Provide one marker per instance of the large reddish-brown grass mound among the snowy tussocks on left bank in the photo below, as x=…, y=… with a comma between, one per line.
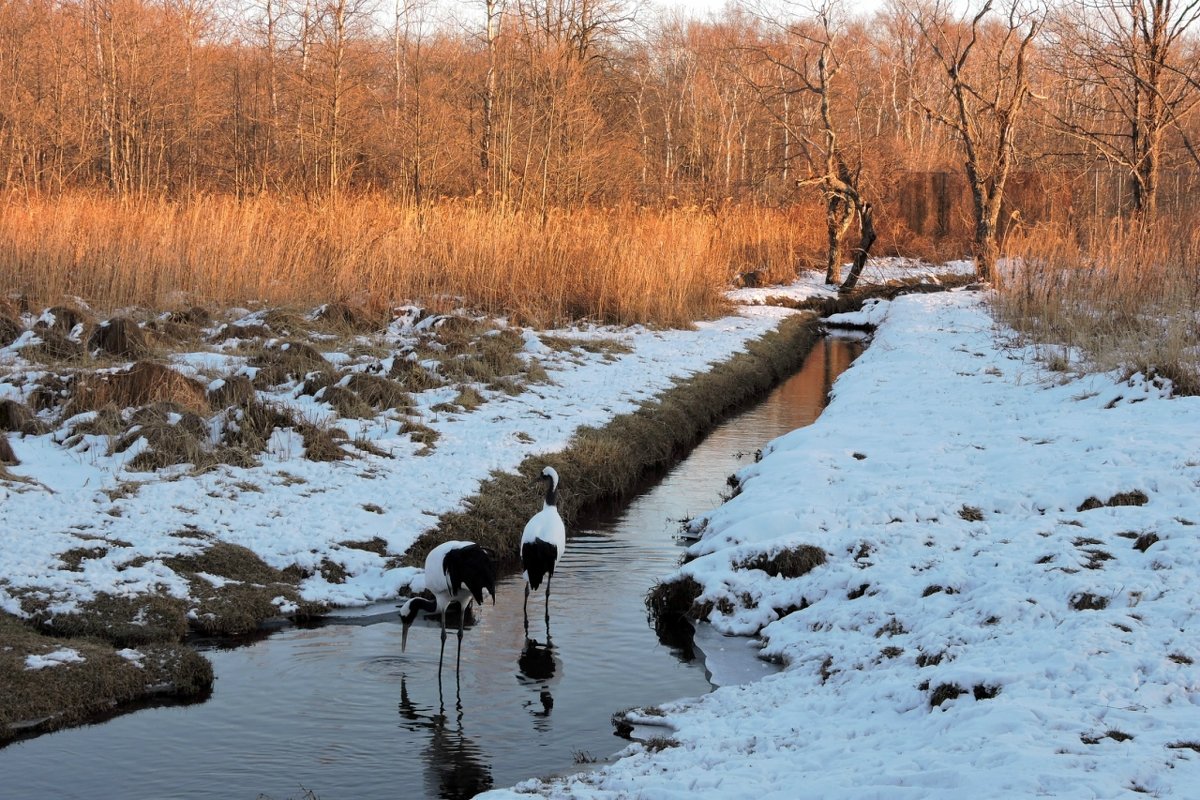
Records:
x=143, y=384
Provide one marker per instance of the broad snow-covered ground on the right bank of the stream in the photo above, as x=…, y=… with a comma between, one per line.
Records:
x=979, y=630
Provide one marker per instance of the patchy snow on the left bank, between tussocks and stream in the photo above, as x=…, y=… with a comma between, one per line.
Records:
x=296, y=512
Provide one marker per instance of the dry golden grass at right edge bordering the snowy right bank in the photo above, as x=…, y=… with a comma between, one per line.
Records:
x=1124, y=297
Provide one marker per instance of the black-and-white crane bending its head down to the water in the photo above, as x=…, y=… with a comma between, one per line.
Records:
x=457, y=573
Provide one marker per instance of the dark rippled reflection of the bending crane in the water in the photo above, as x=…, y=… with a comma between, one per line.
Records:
x=455, y=766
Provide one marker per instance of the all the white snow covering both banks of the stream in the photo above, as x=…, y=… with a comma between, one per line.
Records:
x=950, y=485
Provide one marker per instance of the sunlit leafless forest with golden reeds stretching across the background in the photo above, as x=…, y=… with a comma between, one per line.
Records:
x=281, y=149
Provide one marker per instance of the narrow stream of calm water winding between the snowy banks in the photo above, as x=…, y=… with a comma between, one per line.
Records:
x=339, y=712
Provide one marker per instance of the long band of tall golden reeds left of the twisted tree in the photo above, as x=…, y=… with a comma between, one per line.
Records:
x=622, y=266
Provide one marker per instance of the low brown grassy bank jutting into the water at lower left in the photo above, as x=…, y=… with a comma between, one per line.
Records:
x=37, y=701
